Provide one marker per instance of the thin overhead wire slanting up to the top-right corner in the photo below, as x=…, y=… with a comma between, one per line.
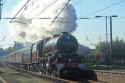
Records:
x=104, y=8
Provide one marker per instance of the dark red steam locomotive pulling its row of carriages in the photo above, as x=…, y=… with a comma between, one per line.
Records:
x=56, y=56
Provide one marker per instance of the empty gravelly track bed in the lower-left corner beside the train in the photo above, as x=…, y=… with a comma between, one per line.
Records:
x=8, y=75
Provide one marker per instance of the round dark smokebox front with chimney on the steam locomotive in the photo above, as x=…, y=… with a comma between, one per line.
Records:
x=67, y=44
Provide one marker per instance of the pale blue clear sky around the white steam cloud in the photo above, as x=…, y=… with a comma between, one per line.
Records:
x=90, y=31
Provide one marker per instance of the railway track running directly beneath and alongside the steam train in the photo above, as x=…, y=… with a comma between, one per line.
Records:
x=51, y=79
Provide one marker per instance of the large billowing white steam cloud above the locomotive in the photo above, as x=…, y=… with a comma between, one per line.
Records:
x=29, y=28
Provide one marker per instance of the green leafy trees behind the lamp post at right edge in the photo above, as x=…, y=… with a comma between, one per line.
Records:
x=118, y=50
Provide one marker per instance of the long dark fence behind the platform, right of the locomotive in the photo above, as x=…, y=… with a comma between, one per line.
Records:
x=104, y=62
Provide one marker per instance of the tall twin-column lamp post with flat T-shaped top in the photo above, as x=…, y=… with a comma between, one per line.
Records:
x=110, y=17
